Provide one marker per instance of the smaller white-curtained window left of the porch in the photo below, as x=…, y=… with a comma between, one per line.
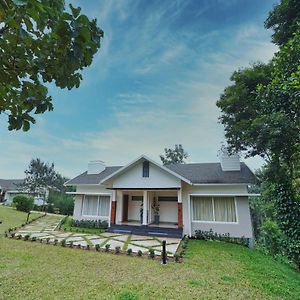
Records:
x=96, y=206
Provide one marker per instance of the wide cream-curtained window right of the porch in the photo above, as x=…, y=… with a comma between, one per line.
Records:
x=214, y=209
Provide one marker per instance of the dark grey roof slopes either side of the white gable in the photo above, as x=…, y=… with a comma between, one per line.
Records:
x=196, y=173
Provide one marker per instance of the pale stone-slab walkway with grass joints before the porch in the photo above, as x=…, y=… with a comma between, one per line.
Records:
x=46, y=227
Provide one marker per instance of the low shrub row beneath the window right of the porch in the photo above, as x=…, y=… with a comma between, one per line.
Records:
x=213, y=236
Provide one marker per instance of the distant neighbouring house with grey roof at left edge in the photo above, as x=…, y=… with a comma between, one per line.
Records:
x=9, y=188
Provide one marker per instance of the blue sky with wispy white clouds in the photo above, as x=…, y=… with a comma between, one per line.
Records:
x=153, y=84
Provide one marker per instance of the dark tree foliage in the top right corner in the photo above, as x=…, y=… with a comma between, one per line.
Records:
x=283, y=19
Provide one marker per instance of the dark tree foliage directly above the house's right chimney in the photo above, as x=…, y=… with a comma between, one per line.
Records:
x=241, y=111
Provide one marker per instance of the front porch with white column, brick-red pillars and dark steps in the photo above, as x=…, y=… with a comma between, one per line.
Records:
x=147, y=212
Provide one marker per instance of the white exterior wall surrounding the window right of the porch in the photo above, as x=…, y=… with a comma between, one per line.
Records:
x=242, y=228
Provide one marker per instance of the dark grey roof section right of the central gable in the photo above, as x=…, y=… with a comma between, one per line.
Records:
x=213, y=173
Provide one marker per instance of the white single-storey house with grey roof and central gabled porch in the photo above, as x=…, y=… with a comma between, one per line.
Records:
x=145, y=197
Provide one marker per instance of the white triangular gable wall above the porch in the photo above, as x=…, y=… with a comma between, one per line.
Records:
x=158, y=178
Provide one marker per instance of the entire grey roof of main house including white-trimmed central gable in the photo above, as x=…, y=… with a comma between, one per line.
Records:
x=195, y=173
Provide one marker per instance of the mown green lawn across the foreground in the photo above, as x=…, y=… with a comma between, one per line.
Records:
x=212, y=270
